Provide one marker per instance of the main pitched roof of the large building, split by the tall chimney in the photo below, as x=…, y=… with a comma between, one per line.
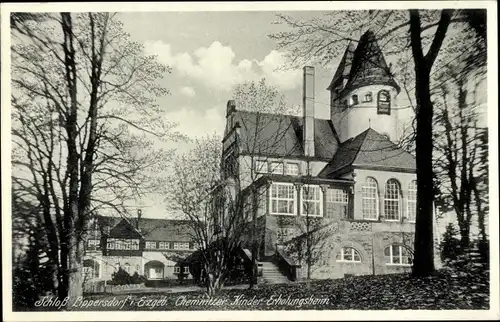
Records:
x=281, y=135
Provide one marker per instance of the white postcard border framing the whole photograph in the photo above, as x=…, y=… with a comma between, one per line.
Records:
x=493, y=313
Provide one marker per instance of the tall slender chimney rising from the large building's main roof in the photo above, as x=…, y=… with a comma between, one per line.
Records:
x=308, y=111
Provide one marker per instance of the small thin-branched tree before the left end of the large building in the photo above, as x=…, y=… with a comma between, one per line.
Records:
x=211, y=207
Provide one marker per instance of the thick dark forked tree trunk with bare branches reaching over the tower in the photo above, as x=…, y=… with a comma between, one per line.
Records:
x=398, y=31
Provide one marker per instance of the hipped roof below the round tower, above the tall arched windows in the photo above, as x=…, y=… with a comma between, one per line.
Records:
x=369, y=148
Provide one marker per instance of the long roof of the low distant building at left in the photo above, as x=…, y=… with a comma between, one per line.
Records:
x=153, y=229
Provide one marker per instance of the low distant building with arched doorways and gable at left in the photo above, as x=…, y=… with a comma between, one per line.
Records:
x=153, y=248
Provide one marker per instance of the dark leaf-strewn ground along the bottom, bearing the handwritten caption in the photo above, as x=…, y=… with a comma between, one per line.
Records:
x=446, y=290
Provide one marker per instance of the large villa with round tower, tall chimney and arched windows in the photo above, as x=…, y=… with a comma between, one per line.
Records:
x=337, y=197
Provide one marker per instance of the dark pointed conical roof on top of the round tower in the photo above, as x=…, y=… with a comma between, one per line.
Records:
x=368, y=65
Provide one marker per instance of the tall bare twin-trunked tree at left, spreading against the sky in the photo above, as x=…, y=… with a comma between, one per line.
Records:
x=84, y=115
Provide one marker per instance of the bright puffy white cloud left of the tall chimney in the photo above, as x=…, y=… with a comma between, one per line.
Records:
x=216, y=68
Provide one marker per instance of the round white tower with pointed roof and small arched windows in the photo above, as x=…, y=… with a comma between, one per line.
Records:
x=363, y=91
